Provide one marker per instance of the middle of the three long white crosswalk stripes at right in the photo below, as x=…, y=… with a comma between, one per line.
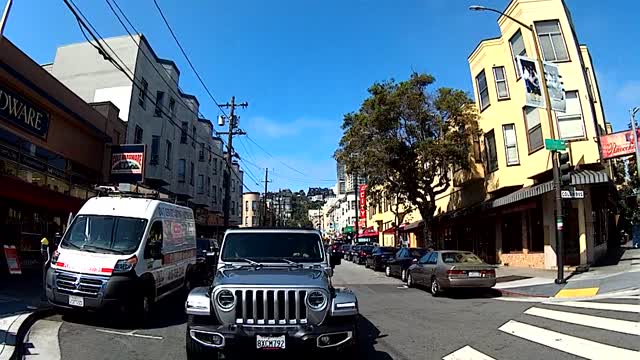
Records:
x=622, y=326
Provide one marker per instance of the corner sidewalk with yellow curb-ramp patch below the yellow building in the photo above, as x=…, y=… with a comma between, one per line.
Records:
x=599, y=280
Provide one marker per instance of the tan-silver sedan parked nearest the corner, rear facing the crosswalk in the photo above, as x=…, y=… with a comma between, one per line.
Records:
x=448, y=269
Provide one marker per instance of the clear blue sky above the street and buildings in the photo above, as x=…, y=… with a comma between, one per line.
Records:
x=302, y=64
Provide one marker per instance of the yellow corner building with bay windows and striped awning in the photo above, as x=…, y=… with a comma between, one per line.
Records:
x=504, y=209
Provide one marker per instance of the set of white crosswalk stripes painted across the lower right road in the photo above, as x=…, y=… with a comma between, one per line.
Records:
x=567, y=343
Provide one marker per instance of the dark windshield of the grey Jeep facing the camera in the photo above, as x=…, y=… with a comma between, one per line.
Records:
x=272, y=247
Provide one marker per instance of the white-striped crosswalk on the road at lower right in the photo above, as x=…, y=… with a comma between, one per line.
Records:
x=571, y=340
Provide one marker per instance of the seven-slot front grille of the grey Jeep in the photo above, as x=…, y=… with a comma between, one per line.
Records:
x=271, y=307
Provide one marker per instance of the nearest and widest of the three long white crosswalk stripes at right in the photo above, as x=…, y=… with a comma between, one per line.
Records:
x=570, y=344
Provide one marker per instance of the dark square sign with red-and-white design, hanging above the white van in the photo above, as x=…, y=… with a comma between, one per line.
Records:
x=127, y=163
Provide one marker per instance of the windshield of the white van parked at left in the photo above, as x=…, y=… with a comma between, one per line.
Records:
x=104, y=234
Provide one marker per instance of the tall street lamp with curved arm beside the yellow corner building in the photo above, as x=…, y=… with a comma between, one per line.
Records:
x=556, y=172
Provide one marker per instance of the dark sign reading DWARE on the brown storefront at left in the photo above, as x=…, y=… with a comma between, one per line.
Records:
x=22, y=113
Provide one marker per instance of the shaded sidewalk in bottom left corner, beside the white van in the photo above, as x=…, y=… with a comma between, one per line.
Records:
x=21, y=298
